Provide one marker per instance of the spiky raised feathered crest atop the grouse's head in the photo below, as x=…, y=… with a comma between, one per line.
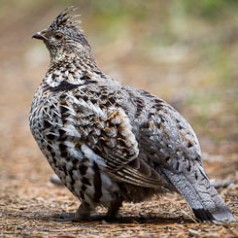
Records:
x=65, y=19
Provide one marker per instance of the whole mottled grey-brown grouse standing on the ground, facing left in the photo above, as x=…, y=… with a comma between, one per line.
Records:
x=111, y=143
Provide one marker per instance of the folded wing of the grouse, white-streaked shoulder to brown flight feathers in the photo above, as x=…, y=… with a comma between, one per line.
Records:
x=109, y=134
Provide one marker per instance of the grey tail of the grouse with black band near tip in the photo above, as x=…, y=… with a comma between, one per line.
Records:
x=202, y=197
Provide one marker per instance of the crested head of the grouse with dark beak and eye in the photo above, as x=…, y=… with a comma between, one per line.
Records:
x=64, y=38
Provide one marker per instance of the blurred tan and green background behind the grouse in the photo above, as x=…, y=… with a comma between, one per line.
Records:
x=184, y=51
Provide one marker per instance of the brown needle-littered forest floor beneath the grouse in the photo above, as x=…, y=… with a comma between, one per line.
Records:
x=31, y=206
